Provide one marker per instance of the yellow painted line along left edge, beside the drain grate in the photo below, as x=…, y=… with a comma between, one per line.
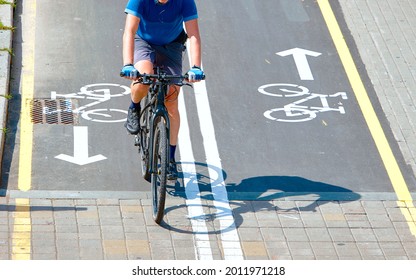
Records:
x=21, y=240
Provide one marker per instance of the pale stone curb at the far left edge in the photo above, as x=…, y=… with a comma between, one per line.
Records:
x=6, y=15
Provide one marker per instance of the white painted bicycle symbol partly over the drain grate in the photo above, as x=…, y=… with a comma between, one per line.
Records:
x=99, y=93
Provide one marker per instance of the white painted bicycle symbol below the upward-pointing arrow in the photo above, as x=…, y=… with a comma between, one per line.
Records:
x=294, y=111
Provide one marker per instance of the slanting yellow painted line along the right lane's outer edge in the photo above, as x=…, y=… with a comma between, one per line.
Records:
x=373, y=123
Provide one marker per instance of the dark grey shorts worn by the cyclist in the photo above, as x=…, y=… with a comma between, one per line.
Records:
x=169, y=57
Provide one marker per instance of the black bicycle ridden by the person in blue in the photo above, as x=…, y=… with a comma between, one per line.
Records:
x=153, y=137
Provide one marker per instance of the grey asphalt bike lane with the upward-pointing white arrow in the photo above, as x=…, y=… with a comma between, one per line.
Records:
x=288, y=122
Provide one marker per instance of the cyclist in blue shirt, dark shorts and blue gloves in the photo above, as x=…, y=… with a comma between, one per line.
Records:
x=154, y=36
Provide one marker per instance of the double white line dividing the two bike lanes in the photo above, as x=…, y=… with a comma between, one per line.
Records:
x=229, y=237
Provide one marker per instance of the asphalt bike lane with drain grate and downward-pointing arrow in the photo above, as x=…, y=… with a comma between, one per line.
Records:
x=79, y=102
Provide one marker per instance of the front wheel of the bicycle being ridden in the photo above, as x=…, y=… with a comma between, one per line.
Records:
x=160, y=168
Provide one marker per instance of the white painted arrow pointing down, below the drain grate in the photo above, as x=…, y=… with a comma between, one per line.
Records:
x=80, y=156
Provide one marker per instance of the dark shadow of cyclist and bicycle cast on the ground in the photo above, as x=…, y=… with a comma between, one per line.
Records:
x=240, y=195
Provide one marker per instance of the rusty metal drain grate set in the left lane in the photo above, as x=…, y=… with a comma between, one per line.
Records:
x=52, y=111
